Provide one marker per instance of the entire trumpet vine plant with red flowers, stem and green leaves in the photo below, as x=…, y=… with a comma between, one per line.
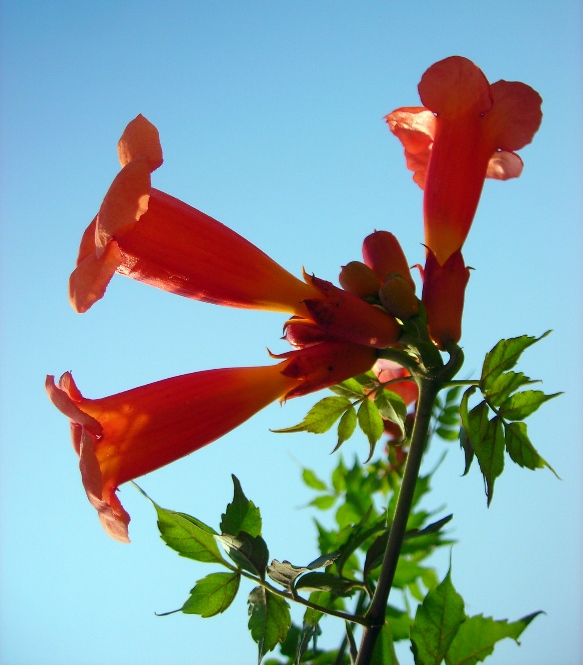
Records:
x=389, y=356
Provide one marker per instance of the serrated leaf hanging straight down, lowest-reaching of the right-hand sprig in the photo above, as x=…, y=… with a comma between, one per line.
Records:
x=488, y=442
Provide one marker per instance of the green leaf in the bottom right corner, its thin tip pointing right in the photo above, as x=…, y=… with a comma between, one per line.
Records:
x=477, y=636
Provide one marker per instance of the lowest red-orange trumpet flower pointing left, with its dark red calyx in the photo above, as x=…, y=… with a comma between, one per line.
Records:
x=124, y=436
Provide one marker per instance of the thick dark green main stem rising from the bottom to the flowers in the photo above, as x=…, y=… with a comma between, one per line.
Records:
x=428, y=389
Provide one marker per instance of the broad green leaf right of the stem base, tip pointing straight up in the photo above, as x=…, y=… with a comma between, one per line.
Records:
x=437, y=621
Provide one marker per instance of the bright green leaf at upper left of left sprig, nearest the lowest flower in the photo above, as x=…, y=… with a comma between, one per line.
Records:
x=188, y=536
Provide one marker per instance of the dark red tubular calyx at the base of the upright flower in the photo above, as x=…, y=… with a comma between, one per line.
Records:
x=444, y=289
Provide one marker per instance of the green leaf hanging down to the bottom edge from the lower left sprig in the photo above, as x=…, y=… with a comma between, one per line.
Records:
x=269, y=619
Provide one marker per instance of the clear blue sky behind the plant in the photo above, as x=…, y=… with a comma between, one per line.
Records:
x=270, y=115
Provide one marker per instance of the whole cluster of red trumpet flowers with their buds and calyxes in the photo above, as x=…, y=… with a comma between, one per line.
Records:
x=465, y=132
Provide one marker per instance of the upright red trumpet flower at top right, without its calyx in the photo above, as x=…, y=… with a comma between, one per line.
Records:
x=467, y=130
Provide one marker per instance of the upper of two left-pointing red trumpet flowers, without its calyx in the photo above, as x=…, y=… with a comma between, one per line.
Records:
x=157, y=239
